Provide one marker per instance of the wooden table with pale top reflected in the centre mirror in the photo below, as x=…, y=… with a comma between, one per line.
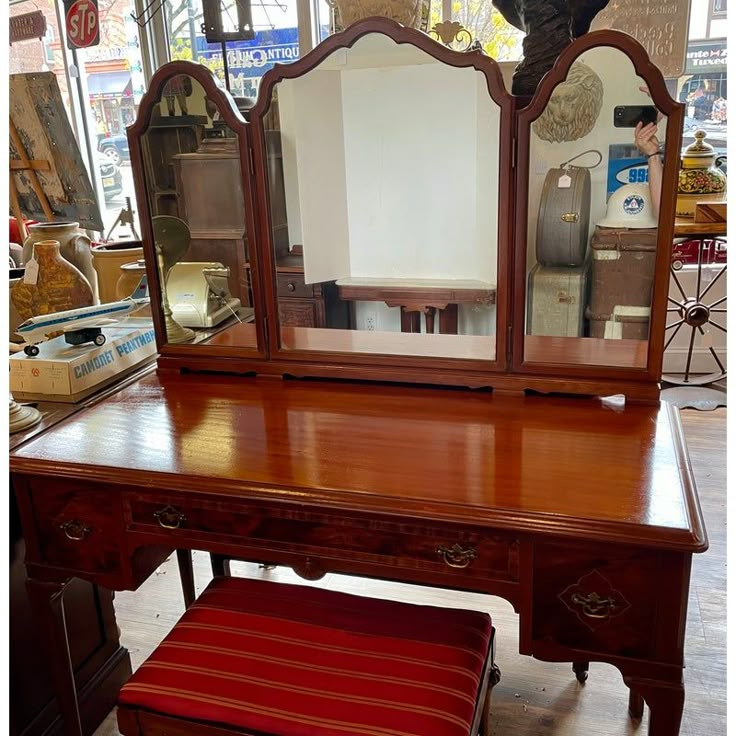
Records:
x=420, y=296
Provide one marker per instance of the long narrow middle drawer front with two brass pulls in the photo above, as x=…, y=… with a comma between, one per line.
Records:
x=436, y=550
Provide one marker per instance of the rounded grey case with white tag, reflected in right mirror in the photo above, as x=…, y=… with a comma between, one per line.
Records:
x=564, y=217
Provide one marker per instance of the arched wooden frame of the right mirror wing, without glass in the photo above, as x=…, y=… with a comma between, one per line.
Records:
x=596, y=376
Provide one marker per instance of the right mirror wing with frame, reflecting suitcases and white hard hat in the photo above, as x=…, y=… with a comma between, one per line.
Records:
x=595, y=211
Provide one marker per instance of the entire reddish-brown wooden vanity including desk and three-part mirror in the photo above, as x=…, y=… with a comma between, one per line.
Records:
x=582, y=513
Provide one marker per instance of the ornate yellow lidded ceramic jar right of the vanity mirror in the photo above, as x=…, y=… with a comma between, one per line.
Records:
x=700, y=180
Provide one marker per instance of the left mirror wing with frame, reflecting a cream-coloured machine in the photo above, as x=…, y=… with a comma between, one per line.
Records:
x=192, y=152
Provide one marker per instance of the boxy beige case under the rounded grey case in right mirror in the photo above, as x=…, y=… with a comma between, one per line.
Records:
x=556, y=299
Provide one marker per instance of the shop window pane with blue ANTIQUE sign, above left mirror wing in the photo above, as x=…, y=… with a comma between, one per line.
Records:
x=276, y=41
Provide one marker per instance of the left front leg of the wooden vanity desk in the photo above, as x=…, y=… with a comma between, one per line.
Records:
x=48, y=610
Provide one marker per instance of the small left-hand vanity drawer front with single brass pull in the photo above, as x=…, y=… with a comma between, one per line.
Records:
x=79, y=526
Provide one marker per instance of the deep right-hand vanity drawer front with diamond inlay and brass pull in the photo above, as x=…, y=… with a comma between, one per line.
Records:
x=596, y=600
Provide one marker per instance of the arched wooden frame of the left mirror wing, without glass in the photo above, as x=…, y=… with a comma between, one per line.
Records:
x=136, y=132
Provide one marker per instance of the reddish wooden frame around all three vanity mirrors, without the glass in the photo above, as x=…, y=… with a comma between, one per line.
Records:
x=509, y=373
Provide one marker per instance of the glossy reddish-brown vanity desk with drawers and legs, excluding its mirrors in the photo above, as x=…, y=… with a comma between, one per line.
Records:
x=585, y=518
